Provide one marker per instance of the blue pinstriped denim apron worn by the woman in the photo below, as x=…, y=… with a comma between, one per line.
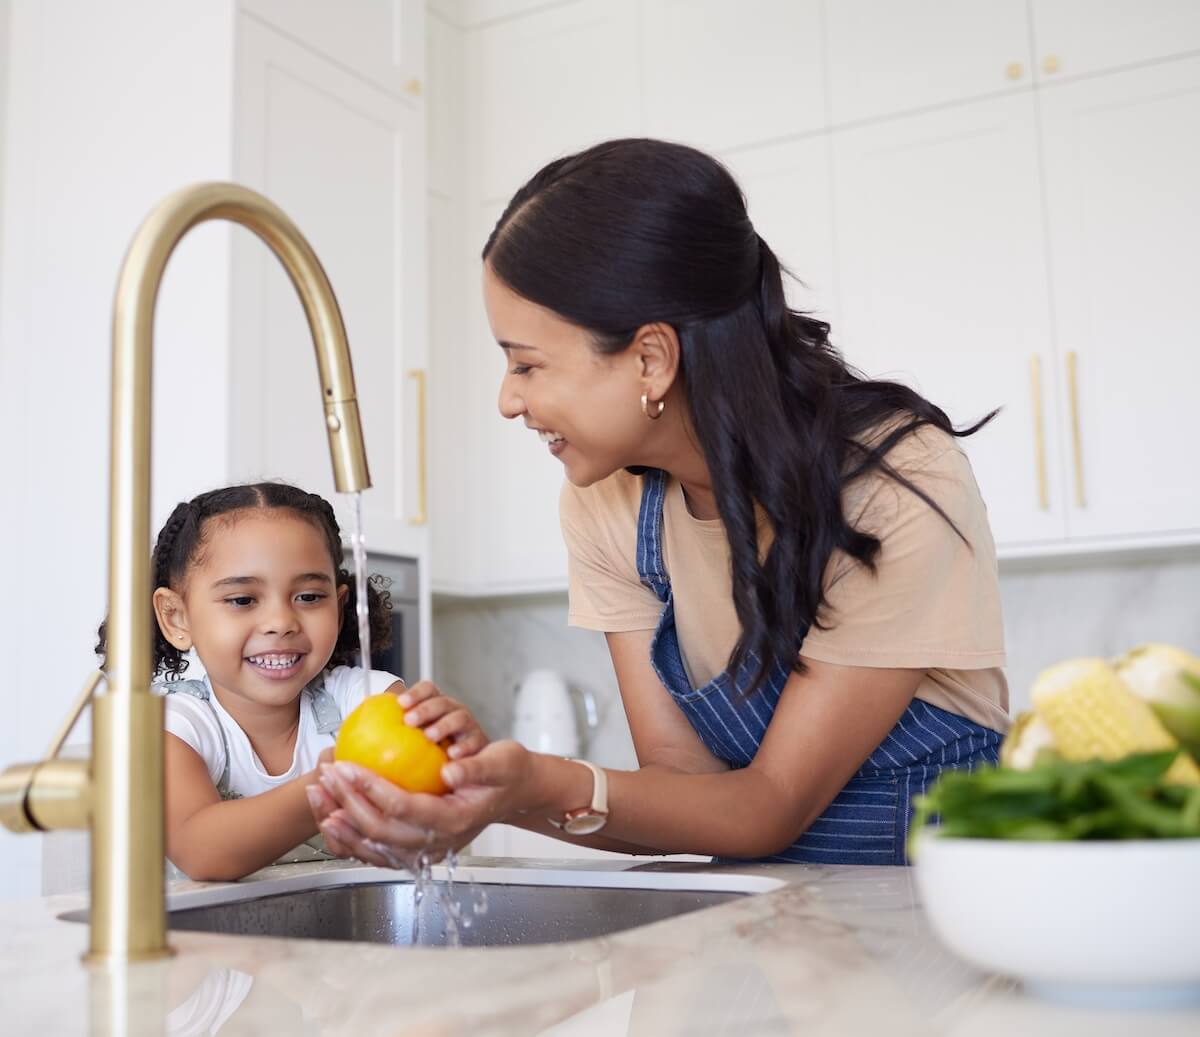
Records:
x=868, y=822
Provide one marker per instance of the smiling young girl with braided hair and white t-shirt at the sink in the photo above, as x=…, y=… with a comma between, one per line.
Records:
x=250, y=579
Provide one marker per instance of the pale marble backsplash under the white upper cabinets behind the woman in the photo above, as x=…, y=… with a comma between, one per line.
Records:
x=1053, y=612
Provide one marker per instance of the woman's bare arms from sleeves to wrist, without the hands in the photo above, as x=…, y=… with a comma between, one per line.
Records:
x=682, y=800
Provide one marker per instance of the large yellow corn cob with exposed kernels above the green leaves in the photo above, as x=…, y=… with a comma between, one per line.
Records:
x=1094, y=715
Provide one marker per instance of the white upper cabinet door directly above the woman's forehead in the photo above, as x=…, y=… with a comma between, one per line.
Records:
x=548, y=85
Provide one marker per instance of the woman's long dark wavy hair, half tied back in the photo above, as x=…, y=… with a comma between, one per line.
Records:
x=634, y=232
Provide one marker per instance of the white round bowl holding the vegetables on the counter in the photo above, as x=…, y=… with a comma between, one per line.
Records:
x=1102, y=924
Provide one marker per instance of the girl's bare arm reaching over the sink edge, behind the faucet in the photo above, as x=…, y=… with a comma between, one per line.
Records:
x=214, y=841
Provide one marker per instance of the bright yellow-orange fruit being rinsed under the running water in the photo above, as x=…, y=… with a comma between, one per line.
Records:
x=376, y=736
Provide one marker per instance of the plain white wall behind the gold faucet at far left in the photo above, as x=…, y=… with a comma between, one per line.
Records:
x=71, y=202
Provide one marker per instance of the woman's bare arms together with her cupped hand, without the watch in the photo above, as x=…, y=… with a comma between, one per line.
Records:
x=826, y=724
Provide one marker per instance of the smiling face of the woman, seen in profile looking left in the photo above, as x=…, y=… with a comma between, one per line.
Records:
x=585, y=405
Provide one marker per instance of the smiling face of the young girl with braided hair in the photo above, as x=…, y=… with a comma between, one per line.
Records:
x=261, y=606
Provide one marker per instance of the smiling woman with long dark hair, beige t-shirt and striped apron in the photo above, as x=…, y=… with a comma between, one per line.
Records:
x=793, y=564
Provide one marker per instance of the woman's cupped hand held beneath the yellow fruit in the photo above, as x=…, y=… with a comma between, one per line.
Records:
x=365, y=817
